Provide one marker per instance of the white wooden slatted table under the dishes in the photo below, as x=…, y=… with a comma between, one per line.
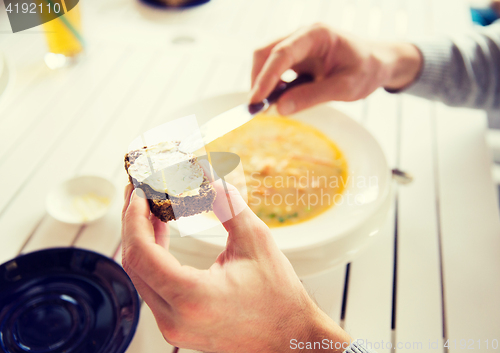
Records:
x=434, y=274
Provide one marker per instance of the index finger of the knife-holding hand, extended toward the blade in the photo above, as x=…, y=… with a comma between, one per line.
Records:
x=305, y=43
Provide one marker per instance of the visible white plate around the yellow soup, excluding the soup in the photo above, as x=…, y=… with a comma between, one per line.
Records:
x=334, y=236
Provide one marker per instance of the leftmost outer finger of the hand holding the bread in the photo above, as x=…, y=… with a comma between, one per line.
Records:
x=150, y=261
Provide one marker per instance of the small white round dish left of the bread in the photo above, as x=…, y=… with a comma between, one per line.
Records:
x=81, y=200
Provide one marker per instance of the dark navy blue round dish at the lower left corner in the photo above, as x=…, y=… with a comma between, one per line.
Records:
x=66, y=300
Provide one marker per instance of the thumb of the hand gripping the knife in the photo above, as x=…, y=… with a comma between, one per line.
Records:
x=337, y=87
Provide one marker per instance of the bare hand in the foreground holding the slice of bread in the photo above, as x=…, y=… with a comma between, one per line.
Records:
x=249, y=300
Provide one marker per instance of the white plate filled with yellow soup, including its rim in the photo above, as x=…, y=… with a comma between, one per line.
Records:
x=318, y=178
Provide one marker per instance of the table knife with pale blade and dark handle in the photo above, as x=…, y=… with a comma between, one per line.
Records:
x=234, y=118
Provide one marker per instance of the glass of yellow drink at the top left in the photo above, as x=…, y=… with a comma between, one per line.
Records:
x=64, y=36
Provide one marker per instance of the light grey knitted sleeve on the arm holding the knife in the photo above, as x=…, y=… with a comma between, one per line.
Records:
x=462, y=72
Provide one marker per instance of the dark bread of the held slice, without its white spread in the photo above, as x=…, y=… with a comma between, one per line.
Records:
x=162, y=205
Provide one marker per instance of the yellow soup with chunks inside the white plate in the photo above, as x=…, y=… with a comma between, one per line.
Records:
x=292, y=171
